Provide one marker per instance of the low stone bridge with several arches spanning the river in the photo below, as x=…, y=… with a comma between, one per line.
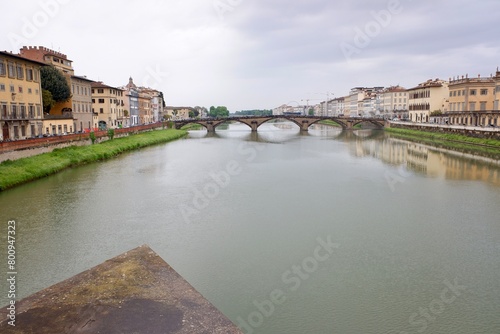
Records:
x=304, y=122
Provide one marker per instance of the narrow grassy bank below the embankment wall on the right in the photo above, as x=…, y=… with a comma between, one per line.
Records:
x=487, y=147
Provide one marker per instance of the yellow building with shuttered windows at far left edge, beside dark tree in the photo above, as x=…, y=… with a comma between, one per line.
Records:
x=20, y=97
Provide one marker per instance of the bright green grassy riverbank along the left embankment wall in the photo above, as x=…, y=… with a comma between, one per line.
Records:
x=13, y=173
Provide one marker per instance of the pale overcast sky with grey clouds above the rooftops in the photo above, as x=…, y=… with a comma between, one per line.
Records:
x=259, y=54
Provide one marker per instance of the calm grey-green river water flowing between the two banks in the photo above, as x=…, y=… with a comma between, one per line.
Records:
x=284, y=232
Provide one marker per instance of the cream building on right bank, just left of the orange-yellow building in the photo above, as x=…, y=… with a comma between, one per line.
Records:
x=427, y=97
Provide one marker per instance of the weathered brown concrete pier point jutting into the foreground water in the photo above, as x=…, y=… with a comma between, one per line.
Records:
x=136, y=292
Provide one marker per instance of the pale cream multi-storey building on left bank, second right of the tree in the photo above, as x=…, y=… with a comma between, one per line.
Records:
x=108, y=103
